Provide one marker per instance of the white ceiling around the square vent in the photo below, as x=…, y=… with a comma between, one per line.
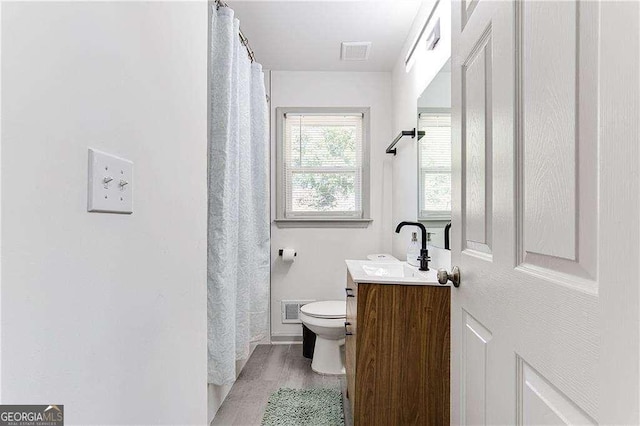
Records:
x=306, y=35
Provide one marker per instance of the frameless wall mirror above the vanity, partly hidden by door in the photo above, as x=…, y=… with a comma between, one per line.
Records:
x=434, y=157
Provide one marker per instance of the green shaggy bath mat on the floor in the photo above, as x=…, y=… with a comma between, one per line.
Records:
x=303, y=407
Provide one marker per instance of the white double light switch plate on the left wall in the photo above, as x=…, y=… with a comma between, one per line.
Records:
x=110, y=183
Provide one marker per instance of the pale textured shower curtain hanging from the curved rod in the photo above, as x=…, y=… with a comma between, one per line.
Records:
x=238, y=236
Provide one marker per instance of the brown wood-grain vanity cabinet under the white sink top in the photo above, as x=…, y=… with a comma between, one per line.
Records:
x=397, y=353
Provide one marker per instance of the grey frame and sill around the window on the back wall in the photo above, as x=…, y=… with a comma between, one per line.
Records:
x=322, y=219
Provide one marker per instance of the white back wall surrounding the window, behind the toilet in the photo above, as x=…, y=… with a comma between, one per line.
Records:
x=319, y=272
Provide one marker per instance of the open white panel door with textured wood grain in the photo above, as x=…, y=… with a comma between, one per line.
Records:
x=546, y=213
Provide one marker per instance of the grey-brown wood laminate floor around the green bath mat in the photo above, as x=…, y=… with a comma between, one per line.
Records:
x=270, y=368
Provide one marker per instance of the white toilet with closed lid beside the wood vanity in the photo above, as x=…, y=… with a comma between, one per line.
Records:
x=326, y=320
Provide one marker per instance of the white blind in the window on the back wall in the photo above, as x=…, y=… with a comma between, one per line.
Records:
x=323, y=156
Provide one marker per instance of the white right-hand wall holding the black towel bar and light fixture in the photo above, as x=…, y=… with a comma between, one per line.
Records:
x=407, y=87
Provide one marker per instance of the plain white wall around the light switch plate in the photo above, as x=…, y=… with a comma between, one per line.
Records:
x=105, y=313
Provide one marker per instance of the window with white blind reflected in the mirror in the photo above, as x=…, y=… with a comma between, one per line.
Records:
x=435, y=166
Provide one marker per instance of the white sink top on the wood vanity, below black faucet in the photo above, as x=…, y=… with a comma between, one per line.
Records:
x=367, y=271
